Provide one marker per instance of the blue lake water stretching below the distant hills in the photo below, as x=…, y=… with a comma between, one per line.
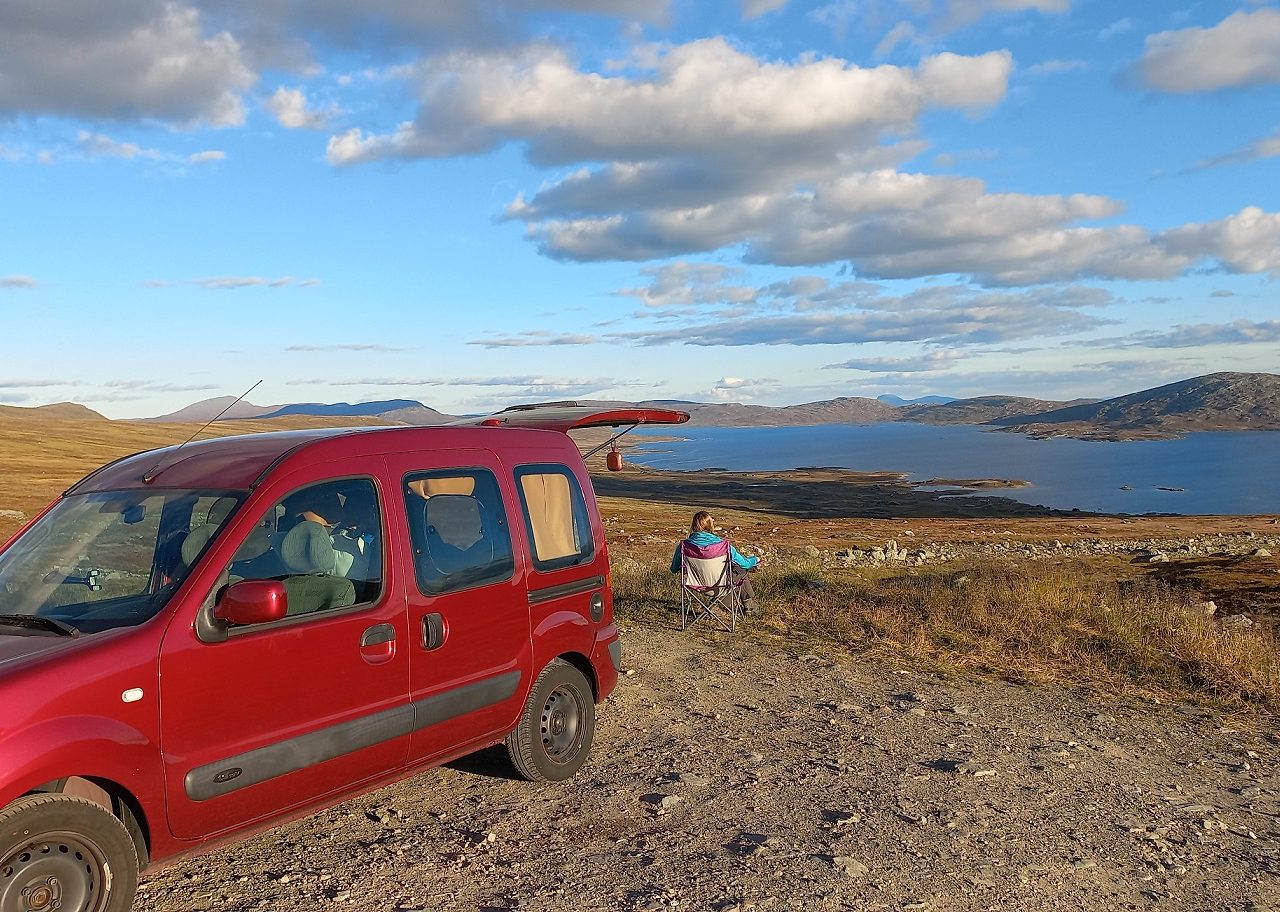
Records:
x=1218, y=472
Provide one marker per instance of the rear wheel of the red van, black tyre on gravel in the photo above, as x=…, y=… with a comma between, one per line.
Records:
x=554, y=737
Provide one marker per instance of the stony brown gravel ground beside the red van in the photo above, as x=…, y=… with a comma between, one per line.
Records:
x=730, y=776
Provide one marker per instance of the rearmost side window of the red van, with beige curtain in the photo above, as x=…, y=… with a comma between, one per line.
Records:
x=555, y=516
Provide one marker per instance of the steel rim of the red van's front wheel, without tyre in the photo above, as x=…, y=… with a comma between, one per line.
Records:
x=60, y=870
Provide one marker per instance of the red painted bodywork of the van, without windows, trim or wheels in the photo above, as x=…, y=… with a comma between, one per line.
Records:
x=63, y=714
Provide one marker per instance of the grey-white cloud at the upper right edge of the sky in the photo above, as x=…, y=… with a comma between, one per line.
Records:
x=1242, y=51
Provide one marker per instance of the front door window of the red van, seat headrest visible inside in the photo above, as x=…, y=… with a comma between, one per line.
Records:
x=323, y=542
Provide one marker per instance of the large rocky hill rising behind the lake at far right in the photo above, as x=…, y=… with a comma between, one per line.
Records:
x=1223, y=402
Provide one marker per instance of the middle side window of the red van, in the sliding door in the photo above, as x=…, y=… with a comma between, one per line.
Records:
x=459, y=530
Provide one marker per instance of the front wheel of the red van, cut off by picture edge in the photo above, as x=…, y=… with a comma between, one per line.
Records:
x=66, y=854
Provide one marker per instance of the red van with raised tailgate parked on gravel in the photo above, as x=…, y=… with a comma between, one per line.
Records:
x=200, y=641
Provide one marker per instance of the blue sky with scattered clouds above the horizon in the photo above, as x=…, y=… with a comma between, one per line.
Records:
x=772, y=202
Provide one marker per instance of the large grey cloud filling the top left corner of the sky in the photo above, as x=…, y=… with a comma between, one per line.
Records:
x=125, y=61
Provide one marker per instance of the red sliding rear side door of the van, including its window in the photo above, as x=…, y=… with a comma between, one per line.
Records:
x=468, y=610
